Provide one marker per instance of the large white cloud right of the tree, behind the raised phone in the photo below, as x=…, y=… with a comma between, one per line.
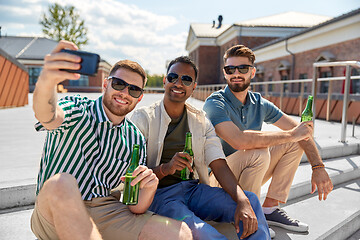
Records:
x=125, y=31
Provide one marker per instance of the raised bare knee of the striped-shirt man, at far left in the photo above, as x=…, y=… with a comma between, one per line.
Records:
x=60, y=186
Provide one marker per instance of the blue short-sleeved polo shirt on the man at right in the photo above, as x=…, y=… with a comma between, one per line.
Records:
x=222, y=106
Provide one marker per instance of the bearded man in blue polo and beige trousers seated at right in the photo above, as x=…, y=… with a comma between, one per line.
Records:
x=253, y=155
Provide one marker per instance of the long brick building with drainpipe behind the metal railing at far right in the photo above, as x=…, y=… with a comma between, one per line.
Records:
x=292, y=57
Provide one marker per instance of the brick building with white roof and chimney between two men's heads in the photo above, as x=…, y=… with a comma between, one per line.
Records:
x=207, y=43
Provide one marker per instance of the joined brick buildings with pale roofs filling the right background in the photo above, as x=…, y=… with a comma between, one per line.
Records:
x=286, y=46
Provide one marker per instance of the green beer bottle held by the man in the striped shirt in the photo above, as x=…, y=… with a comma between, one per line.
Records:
x=131, y=193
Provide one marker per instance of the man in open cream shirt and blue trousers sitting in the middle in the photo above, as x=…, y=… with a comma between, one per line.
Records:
x=164, y=125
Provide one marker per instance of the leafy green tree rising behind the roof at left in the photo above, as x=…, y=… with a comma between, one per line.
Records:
x=64, y=23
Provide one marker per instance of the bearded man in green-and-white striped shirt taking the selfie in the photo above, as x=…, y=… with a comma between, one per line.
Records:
x=86, y=153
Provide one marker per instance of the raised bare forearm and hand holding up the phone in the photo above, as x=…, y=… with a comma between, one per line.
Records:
x=45, y=107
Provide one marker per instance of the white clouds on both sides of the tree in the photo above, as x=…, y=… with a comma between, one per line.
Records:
x=116, y=30
